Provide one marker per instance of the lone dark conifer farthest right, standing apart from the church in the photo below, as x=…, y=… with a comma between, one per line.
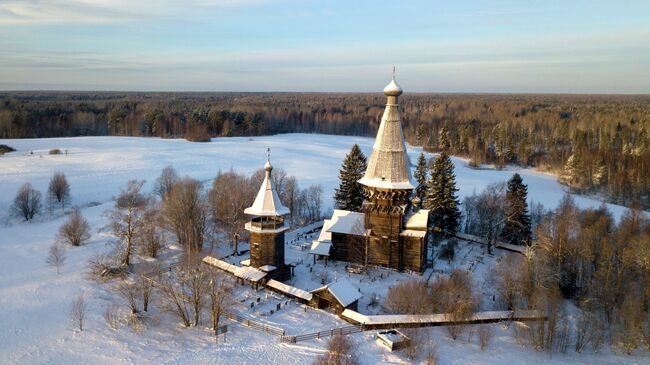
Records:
x=516, y=229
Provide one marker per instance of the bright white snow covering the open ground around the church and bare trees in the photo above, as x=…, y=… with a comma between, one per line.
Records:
x=34, y=301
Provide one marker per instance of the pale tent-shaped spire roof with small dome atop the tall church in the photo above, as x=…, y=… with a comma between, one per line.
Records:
x=388, y=166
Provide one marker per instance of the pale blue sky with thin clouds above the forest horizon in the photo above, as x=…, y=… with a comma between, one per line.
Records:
x=256, y=45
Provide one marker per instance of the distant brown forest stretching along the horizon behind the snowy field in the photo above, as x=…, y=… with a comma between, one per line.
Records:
x=596, y=144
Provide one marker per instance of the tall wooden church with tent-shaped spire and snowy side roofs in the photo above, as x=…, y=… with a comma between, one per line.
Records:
x=390, y=230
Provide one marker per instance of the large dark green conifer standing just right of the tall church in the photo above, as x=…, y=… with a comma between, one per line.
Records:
x=441, y=197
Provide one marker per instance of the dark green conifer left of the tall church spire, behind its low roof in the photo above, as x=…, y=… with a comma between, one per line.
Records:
x=349, y=194
